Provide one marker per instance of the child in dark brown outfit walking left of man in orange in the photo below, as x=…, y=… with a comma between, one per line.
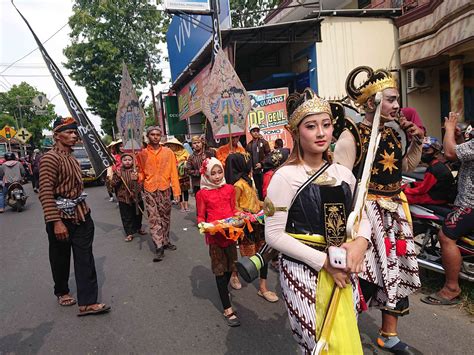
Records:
x=127, y=198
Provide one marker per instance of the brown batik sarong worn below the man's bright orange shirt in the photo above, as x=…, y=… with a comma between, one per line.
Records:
x=158, y=207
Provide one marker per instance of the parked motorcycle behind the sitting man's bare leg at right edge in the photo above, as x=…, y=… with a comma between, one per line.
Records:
x=427, y=221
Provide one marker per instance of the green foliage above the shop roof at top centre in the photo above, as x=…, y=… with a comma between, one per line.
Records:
x=246, y=13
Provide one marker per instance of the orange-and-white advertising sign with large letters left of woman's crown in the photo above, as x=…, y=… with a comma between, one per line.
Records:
x=269, y=112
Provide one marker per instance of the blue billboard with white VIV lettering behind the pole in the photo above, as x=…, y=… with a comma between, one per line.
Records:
x=186, y=38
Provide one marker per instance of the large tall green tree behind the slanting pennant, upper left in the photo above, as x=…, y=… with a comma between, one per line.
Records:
x=106, y=33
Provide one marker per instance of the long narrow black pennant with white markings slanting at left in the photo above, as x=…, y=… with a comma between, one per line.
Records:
x=96, y=150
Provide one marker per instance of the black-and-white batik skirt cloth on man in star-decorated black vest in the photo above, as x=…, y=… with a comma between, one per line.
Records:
x=397, y=276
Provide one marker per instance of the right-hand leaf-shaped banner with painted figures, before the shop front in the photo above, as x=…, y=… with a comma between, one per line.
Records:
x=225, y=103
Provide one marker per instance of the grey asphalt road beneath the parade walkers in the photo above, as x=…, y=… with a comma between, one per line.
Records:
x=167, y=307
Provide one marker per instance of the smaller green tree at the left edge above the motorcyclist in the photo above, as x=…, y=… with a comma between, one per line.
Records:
x=23, y=94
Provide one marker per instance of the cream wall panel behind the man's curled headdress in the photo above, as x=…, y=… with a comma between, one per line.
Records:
x=348, y=42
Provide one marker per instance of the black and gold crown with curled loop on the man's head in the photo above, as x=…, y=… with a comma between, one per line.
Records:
x=376, y=81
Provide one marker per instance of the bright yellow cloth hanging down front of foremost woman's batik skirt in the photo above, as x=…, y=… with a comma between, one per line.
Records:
x=340, y=331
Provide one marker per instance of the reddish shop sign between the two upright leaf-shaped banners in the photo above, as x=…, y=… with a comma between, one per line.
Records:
x=190, y=97
